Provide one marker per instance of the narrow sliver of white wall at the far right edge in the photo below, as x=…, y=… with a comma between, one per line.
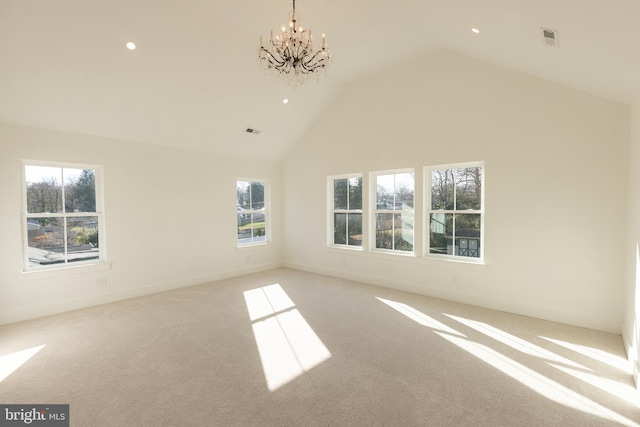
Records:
x=631, y=333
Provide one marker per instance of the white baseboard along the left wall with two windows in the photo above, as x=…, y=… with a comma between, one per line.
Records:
x=75, y=304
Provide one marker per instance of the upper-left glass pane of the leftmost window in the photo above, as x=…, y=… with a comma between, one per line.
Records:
x=44, y=189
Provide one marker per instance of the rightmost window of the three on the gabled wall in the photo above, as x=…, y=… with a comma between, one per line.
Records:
x=456, y=211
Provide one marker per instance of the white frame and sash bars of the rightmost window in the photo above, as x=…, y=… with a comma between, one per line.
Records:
x=428, y=211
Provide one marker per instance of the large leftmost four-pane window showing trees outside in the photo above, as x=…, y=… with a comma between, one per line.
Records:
x=62, y=215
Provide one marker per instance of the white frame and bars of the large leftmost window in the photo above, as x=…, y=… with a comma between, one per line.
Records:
x=99, y=194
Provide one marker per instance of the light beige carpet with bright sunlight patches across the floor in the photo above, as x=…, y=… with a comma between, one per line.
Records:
x=288, y=348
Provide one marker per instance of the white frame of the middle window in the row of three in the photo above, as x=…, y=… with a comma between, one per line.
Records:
x=374, y=211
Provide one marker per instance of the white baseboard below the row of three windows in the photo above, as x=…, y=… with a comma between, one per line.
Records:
x=570, y=318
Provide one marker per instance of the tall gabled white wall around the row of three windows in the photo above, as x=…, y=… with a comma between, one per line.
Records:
x=556, y=185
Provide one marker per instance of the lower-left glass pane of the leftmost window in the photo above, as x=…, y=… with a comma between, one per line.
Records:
x=45, y=238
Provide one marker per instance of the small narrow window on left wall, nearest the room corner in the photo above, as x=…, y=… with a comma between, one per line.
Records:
x=252, y=212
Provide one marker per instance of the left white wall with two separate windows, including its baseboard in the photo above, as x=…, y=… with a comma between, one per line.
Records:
x=170, y=220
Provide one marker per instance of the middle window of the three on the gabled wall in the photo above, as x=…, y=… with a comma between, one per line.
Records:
x=394, y=211
